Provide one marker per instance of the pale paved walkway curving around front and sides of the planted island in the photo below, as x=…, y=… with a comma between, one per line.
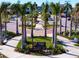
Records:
x=8, y=49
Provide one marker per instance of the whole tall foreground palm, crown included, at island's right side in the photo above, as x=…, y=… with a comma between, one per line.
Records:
x=55, y=11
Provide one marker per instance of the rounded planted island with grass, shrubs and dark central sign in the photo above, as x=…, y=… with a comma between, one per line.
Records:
x=40, y=46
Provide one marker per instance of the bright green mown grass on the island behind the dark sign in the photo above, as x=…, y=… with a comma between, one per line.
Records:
x=48, y=41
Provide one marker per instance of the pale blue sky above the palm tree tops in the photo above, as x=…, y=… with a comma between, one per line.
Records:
x=39, y=2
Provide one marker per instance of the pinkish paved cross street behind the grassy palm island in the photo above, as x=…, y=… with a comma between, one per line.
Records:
x=12, y=27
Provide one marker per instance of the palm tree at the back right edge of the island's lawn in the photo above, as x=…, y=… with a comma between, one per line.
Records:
x=45, y=16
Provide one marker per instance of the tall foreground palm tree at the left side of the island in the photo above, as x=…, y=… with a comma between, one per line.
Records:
x=22, y=13
